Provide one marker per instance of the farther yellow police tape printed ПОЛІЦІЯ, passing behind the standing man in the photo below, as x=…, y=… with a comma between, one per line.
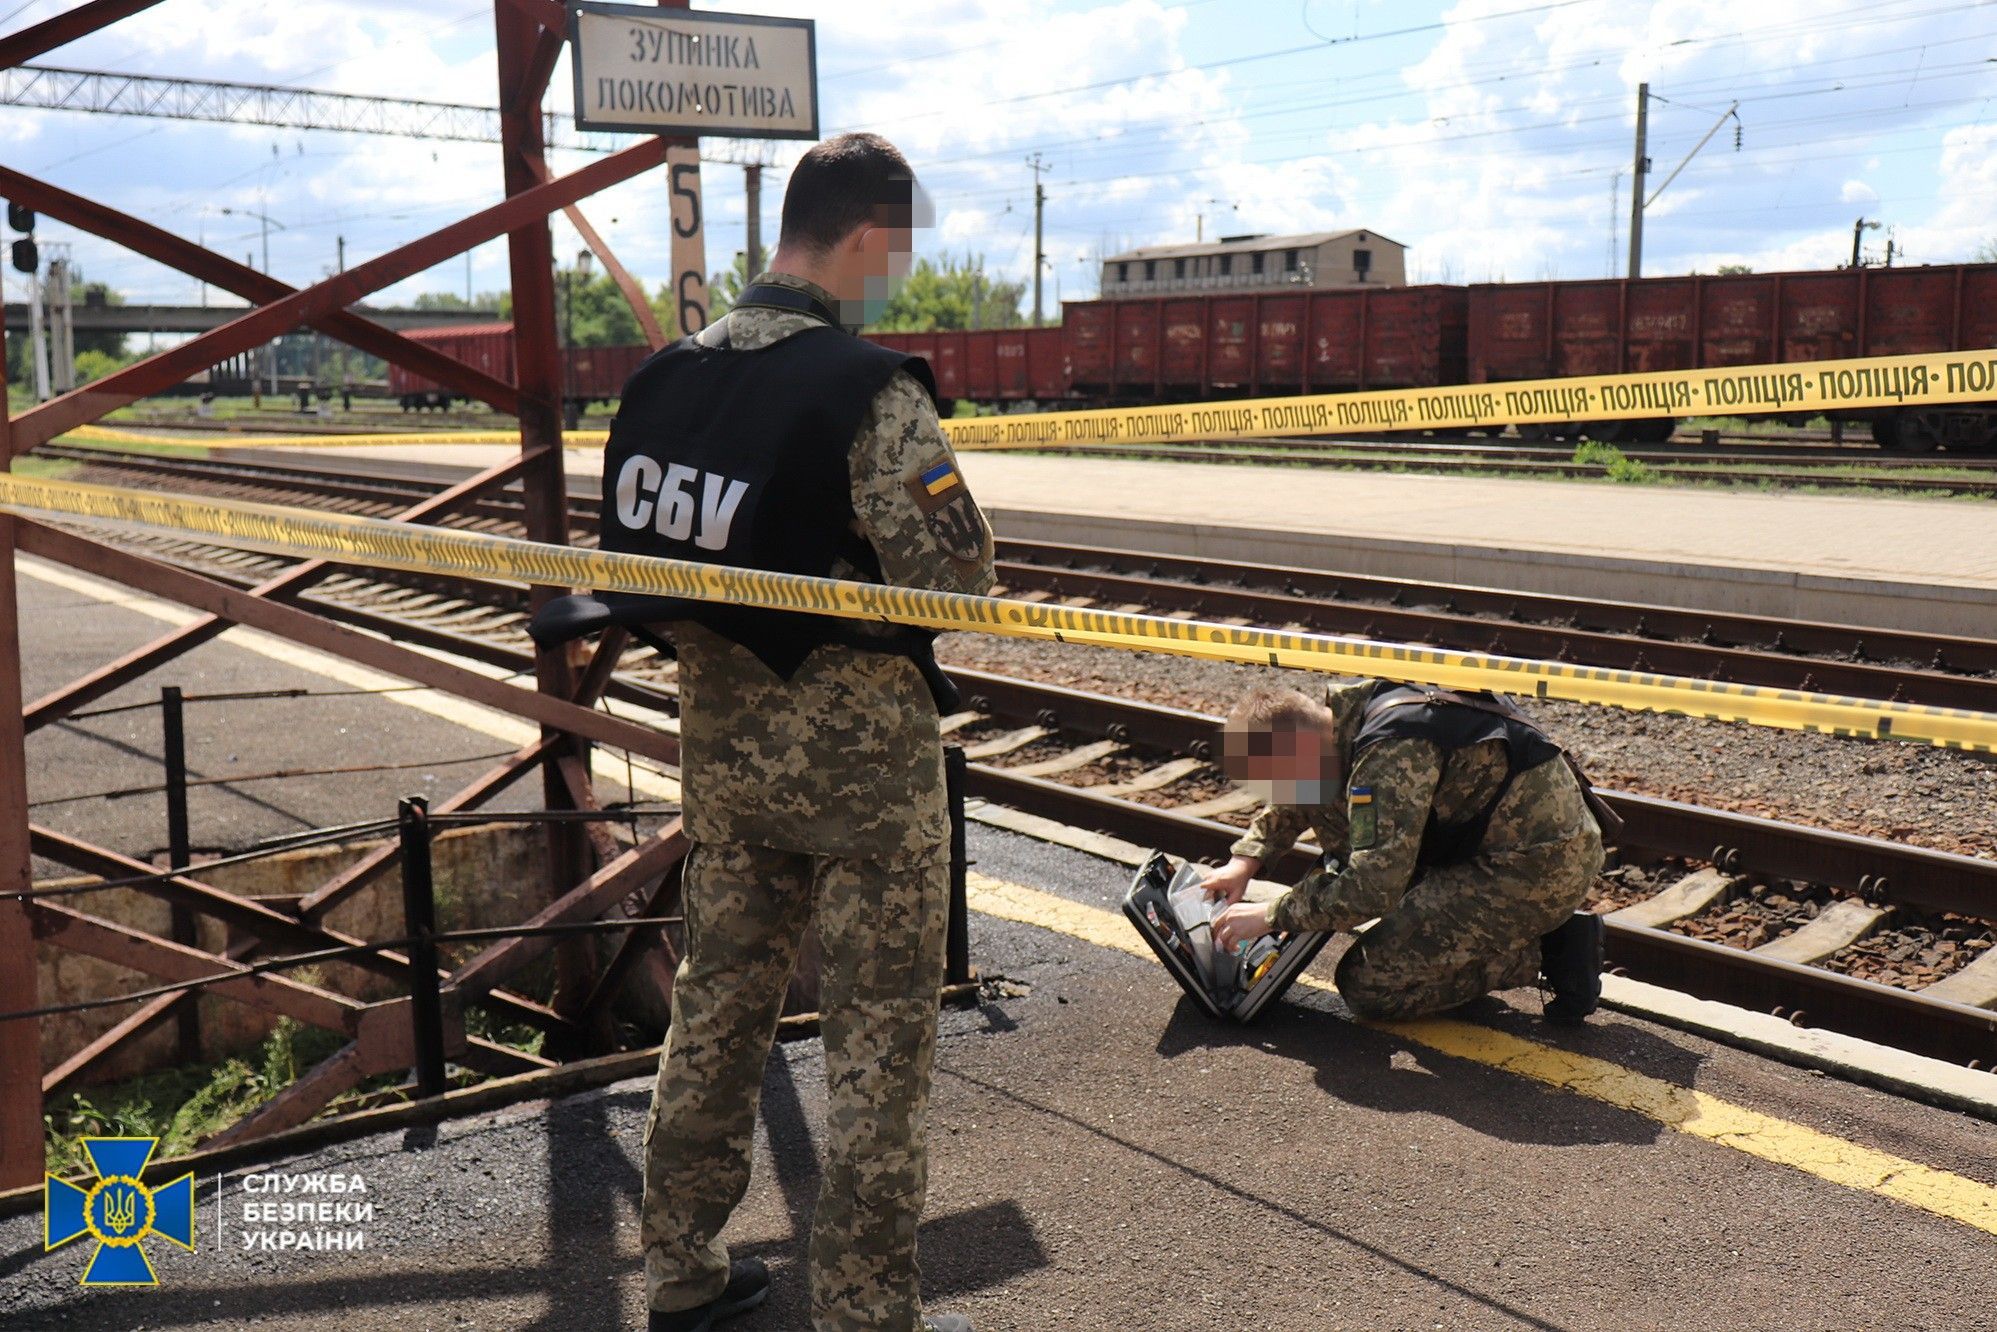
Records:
x=1804, y=388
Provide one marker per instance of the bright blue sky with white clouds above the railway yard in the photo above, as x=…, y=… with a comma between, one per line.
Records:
x=1493, y=137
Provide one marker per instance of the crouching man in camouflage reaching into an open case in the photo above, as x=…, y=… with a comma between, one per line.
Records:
x=1461, y=826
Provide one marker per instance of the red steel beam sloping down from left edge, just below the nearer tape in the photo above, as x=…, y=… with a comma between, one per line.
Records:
x=299, y=626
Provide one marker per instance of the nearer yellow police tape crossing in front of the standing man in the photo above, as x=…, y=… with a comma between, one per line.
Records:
x=450, y=552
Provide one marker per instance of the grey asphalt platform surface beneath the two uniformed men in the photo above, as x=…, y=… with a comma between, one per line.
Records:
x=1103, y=1157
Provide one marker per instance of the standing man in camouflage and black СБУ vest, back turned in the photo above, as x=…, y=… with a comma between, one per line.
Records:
x=812, y=758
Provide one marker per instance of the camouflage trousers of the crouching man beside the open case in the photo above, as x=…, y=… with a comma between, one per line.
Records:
x=1469, y=930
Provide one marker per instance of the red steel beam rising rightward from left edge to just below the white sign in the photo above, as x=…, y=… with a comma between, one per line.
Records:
x=177, y=364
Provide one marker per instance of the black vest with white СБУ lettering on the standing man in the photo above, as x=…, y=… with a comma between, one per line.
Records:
x=740, y=458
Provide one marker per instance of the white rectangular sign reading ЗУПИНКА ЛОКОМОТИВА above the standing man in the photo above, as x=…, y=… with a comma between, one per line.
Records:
x=690, y=73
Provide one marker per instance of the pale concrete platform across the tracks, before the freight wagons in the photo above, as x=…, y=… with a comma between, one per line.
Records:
x=1888, y=562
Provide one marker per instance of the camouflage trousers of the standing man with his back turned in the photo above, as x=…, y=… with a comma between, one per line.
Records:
x=882, y=932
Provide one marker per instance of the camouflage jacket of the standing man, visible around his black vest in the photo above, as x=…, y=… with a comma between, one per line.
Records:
x=846, y=758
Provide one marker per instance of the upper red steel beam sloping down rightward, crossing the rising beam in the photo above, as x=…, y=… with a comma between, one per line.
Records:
x=209, y=267
